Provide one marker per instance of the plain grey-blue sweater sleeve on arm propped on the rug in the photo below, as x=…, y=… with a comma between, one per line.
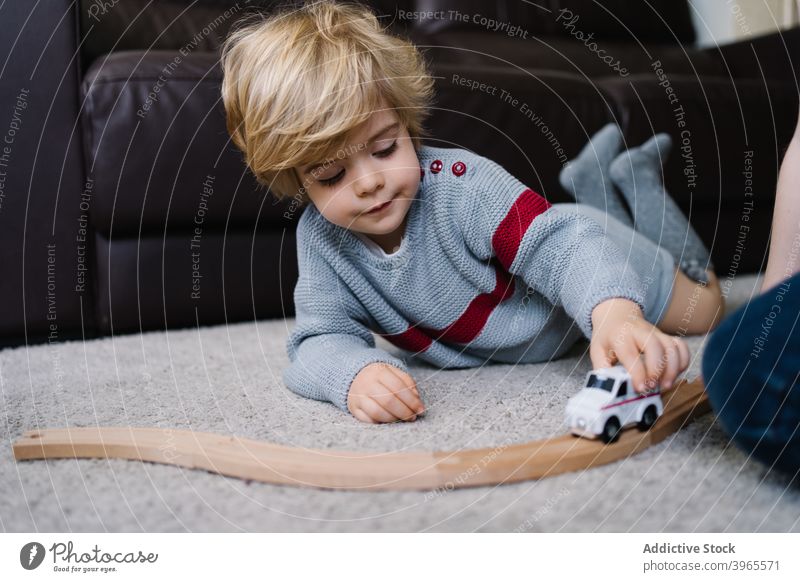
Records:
x=330, y=343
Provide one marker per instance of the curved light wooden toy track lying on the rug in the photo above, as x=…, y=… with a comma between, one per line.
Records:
x=270, y=463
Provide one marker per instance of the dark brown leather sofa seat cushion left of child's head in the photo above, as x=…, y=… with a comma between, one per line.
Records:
x=158, y=150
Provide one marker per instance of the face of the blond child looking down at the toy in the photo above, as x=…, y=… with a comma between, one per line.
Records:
x=378, y=165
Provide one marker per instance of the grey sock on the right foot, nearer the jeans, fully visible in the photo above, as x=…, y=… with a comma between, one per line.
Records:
x=637, y=173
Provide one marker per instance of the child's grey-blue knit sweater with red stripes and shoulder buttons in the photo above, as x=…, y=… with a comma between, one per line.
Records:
x=487, y=271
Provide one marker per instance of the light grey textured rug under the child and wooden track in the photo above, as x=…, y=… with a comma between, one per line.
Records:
x=227, y=379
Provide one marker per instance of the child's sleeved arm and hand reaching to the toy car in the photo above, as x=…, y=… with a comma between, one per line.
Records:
x=568, y=258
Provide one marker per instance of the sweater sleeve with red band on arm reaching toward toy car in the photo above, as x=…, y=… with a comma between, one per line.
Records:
x=564, y=256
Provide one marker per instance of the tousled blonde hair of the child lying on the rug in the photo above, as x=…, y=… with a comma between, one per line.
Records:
x=297, y=82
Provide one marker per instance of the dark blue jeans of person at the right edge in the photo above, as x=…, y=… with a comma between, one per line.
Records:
x=751, y=367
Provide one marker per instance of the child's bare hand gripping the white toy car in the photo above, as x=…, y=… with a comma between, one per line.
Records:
x=622, y=335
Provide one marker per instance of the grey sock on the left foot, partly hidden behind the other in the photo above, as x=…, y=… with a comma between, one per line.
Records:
x=587, y=176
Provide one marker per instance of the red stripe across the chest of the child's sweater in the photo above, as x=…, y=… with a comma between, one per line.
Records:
x=467, y=326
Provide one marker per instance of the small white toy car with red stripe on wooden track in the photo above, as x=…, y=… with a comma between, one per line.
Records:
x=608, y=403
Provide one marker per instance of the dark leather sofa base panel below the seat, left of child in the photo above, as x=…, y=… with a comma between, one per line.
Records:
x=162, y=282
